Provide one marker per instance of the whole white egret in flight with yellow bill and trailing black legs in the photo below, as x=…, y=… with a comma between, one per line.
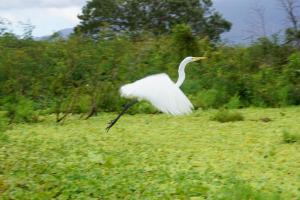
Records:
x=160, y=91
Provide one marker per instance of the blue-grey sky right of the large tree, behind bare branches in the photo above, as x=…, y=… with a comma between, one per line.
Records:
x=246, y=21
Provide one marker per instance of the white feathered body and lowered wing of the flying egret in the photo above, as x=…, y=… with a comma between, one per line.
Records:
x=161, y=92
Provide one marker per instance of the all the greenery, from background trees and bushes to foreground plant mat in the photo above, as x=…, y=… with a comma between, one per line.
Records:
x=154, y=156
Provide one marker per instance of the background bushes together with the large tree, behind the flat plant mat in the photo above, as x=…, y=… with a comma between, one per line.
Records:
x=83, y=74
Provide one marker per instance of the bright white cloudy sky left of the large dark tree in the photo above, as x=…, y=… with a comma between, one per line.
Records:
x=47, y=16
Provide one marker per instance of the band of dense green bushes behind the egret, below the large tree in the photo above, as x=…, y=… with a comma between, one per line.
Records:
x=81, y=75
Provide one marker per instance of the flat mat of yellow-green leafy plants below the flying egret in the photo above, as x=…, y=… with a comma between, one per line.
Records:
x=148, y=156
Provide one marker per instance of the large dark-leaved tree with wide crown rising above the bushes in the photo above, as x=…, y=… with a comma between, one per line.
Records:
x=155, y=16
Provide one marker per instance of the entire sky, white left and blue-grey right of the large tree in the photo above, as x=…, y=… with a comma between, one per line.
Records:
x=49, y=16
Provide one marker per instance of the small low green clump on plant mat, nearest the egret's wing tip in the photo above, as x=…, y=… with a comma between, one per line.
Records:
x=225, y=115
